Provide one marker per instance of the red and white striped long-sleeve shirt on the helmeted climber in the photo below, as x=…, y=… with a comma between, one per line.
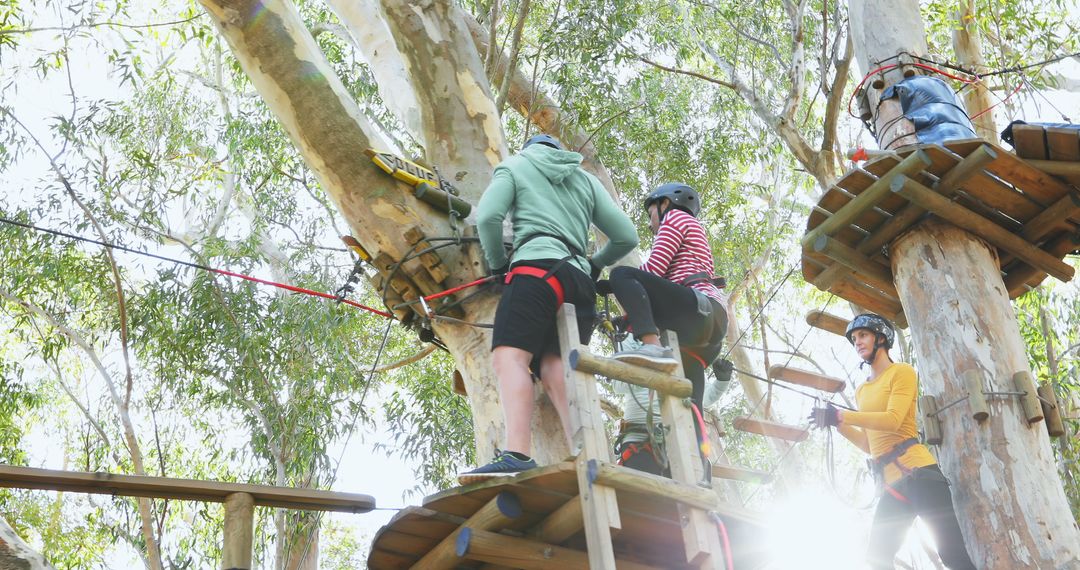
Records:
x=682, y=250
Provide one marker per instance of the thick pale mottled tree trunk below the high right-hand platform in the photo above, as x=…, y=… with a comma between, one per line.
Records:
x=1007, y=491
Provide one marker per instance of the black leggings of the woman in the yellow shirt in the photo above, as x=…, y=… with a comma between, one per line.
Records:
x=929, y=498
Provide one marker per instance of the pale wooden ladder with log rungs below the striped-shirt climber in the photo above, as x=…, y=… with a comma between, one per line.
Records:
x=599, y=479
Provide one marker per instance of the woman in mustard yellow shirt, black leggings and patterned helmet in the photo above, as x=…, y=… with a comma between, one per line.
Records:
x=885, y=428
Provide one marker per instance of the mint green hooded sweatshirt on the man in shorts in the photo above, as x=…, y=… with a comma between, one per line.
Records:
x=549, y=194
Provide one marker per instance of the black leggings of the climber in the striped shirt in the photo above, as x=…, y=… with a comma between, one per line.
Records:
x=653, y=303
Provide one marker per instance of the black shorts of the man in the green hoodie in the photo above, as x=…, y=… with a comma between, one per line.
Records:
x=526, y=315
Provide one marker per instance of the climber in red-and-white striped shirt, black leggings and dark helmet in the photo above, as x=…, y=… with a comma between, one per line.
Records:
x=674, y=290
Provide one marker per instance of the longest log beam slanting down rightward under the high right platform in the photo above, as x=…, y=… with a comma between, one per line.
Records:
x=962, y=218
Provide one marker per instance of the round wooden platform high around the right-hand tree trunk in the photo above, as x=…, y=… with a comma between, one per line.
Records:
x=1032, y=218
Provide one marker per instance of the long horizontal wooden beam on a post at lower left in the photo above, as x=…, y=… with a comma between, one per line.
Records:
x=182, y=490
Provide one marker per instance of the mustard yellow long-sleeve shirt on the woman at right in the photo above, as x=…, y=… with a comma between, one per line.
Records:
x=886, y=417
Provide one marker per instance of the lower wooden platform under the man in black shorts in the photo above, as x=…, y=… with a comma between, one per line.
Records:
x=549, y=531
